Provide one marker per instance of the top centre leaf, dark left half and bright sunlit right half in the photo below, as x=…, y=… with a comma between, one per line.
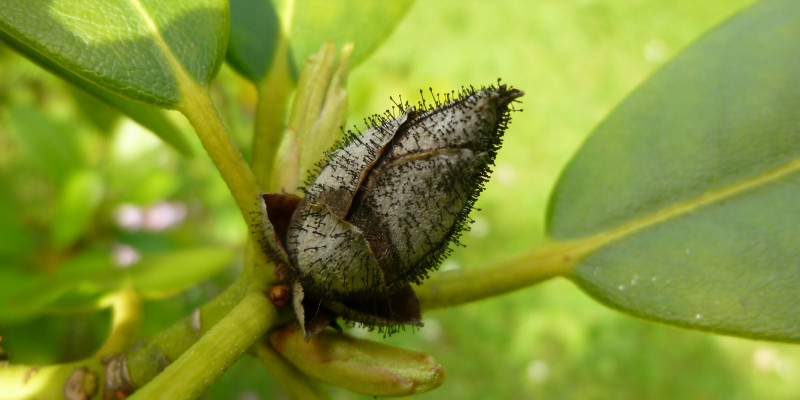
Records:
x=256, y=28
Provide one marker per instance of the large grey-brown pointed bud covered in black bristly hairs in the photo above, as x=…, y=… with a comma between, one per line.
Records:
x=384, y=207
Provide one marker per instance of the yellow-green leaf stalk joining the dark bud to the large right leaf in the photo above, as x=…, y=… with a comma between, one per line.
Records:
x=451, y=288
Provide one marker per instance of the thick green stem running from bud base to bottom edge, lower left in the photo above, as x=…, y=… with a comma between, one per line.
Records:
x=203, y=363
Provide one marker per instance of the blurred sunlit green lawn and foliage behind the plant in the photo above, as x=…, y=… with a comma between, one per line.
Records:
x=574, y=59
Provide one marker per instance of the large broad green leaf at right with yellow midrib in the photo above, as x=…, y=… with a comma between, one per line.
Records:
x=686, y=196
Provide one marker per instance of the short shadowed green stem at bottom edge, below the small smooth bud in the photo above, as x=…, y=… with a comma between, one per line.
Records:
x=295, y=384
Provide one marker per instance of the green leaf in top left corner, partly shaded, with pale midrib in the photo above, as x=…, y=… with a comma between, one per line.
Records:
x=146, y=50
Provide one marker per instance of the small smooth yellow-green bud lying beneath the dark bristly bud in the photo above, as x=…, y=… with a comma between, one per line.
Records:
x=358, y=365
